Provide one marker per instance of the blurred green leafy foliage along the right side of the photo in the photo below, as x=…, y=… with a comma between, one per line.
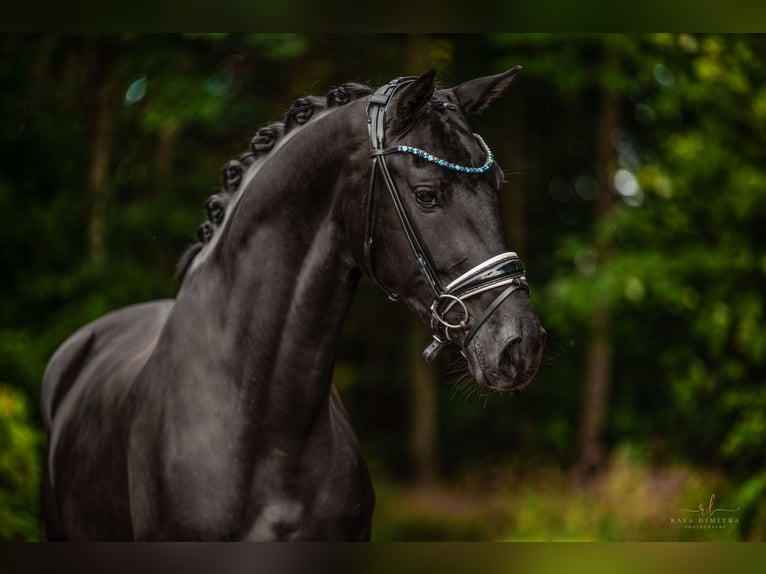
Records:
x=685, y=276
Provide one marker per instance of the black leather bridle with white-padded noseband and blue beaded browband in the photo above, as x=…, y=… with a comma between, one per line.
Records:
x=503, y=270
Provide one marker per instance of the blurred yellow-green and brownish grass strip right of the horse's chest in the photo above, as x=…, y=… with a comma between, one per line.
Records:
x=628, y=502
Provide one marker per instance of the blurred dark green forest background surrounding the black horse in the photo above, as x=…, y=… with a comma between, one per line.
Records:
x=636, y=195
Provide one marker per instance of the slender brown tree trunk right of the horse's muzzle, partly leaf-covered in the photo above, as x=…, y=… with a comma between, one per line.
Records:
x=598, y=367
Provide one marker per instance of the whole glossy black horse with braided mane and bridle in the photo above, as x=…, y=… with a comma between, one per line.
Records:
x=213, y=416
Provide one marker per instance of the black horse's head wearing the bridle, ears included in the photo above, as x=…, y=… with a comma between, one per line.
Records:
x=433, y=230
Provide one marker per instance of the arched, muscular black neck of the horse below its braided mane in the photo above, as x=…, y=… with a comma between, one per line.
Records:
x=274, y=291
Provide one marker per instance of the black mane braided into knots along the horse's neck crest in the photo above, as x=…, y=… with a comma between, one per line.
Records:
x=233, y=173
